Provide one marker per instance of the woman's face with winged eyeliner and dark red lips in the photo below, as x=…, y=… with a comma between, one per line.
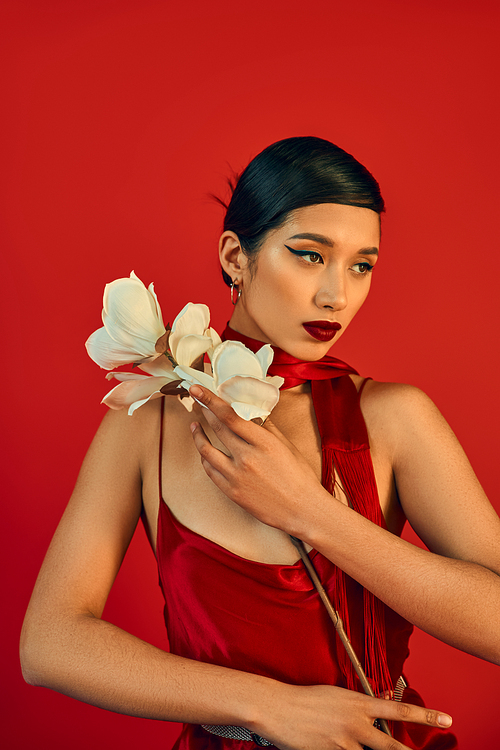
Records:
x=313, y=271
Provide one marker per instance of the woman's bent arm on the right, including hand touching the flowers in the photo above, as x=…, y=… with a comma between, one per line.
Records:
x=452, y=591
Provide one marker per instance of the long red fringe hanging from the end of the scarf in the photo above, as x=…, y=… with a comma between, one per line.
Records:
x=355, y=472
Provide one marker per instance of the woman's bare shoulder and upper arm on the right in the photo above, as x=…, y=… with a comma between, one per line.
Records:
x=436, y=485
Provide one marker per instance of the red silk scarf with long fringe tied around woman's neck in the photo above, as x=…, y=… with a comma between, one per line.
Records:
x=346, y=459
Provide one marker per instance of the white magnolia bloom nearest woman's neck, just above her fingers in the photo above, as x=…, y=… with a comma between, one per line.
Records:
x=240, y=378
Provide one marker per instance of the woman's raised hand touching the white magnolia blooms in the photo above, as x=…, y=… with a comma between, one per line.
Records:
x=264, y=473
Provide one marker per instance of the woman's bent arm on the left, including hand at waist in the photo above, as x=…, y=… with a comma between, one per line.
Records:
x=66, y=646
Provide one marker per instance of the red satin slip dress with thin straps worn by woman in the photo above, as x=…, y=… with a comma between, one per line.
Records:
x=266, y=619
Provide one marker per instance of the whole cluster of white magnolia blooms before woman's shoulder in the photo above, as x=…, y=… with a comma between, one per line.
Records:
x=134, y=333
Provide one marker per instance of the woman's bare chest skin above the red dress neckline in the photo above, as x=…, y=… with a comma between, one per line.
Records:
x=199, y=505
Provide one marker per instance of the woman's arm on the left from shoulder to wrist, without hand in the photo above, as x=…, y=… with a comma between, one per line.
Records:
x=66, y=646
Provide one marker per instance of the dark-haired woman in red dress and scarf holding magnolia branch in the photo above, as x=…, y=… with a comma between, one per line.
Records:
x=252, y=646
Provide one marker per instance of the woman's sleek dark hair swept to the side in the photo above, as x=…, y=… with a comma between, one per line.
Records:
x=290, y=174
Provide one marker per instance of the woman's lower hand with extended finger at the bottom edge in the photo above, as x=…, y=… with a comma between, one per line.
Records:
x=324, y=717
